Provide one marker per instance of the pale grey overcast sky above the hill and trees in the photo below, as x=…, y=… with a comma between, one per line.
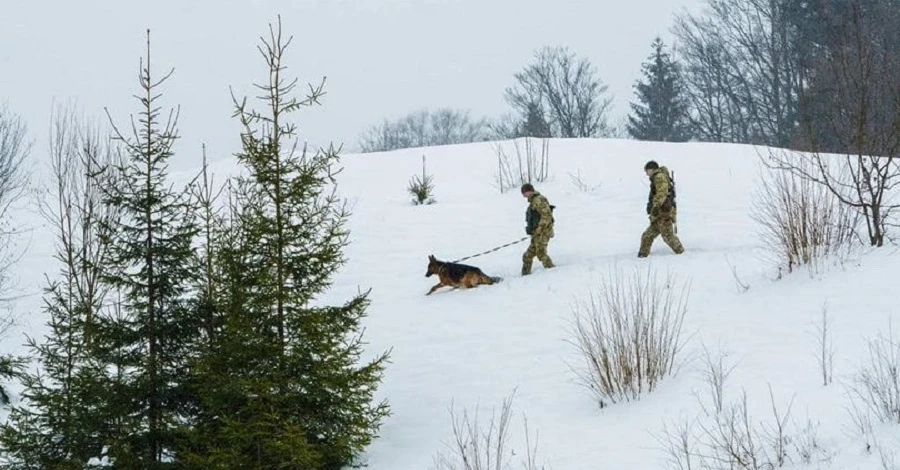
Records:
x=382, y=58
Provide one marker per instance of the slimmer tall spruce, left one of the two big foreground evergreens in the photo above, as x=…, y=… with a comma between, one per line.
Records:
x=148, y=339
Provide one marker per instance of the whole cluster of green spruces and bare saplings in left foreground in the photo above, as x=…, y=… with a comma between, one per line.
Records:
x=184, y=325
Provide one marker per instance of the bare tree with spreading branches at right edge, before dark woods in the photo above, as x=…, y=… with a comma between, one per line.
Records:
x=863, y=79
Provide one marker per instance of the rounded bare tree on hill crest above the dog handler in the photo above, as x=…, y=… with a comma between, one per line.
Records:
x=568, y=88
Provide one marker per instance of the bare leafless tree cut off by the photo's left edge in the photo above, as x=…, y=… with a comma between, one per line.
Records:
x=14, y=148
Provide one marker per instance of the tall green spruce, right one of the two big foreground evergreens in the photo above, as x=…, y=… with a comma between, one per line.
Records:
x=283, y=387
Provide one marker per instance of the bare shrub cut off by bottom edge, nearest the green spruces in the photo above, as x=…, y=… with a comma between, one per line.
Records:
x=485, y=448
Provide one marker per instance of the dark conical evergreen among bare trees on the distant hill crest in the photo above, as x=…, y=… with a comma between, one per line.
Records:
x=662, y=112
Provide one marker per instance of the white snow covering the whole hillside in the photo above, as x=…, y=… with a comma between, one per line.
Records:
x=472, y=348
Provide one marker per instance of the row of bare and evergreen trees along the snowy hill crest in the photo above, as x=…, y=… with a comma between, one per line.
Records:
x=770, y=72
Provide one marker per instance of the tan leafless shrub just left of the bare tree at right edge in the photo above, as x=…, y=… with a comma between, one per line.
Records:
x=800, y=222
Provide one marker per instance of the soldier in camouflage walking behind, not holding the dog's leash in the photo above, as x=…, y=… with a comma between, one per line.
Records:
x=661, y=209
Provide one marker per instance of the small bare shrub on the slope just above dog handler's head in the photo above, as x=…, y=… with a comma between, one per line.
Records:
x=527, y=167
